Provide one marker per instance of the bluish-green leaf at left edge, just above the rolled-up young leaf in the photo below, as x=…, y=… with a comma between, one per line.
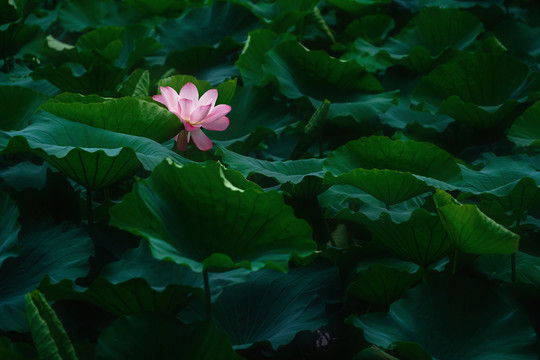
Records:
x=61, y=253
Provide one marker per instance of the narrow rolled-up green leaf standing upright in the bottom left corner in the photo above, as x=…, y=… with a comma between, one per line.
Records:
x=50, y=337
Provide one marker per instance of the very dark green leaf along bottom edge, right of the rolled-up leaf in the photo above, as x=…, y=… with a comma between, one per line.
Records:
x=128, y=338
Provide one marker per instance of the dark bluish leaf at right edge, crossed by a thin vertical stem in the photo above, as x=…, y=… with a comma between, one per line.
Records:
x=499, y=267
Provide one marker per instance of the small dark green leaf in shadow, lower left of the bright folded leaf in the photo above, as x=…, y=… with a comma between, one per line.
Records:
x=383, y=283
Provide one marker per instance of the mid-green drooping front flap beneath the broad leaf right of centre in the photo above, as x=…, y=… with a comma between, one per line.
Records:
x=389, y=186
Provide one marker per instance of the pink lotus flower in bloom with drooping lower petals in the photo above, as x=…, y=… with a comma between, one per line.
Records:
x=195, y=113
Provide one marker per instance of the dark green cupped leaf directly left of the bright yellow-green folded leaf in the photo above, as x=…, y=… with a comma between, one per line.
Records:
x=421, y=238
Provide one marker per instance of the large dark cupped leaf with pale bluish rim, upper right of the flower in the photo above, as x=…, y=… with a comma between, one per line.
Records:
x=315, y=74
